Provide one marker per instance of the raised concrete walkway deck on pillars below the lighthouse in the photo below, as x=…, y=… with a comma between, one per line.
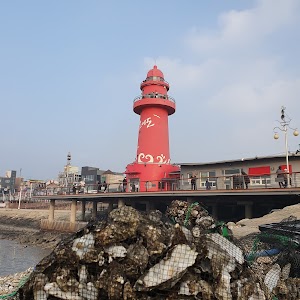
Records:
x=221, y=204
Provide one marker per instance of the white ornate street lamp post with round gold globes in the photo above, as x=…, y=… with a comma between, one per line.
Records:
x=284, y=125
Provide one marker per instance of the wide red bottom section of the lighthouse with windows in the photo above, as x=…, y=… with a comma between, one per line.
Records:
x=152, y=177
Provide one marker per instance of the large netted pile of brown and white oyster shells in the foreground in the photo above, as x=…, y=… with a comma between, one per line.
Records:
x=136, y=256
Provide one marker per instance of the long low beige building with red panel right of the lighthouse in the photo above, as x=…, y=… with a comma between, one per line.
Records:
x=223, y=174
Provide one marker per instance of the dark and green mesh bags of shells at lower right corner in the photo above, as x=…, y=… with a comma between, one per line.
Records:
x=274, y=256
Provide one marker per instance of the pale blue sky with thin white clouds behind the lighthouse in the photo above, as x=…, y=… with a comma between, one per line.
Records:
x=69, y=71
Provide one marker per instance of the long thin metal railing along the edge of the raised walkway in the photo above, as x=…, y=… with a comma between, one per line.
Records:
x=230, y=182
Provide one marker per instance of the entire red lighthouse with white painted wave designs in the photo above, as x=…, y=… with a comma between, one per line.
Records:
x=152, y=170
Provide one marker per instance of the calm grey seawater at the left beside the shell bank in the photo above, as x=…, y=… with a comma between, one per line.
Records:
x=15, y=257
